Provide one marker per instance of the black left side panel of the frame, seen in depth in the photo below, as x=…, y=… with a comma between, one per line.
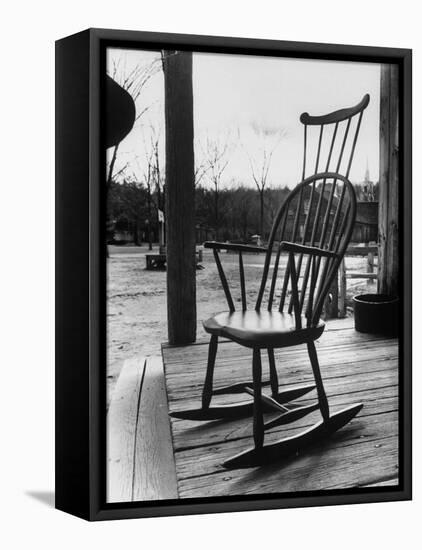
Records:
x=72, y=274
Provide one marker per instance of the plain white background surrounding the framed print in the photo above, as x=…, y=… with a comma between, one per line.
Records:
x=27, y=268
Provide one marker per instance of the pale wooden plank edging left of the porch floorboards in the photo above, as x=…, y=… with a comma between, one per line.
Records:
x=140, y=460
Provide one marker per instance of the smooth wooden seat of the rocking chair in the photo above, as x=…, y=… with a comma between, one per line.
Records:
x=262, y=328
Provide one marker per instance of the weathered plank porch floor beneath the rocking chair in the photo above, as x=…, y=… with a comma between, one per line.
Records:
x=355, y=368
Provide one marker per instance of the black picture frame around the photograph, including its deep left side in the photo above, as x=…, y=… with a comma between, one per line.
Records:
x=80, y=272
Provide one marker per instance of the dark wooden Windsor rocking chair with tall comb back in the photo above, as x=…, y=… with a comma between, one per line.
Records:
x=313, y=228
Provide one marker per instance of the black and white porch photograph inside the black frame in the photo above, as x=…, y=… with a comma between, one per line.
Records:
x=253, y=275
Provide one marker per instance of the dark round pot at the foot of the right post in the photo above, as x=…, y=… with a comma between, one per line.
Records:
x=376, y=314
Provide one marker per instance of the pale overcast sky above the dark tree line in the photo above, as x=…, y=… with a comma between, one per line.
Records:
x=237, y=96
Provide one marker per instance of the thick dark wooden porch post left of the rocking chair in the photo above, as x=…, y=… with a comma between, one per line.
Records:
x=180, y=198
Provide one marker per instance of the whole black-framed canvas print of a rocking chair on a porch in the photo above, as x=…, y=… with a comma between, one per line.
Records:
x=233, y=274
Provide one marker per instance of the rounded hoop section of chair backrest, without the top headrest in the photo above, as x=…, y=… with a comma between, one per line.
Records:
x=320, y=212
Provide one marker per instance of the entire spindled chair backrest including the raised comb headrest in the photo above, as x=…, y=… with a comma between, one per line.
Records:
x=317, y=217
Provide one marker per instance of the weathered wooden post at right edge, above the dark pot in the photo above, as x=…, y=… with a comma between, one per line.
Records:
x=388, y=256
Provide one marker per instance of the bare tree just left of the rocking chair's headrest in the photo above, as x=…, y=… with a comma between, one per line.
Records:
x=267, y=139
